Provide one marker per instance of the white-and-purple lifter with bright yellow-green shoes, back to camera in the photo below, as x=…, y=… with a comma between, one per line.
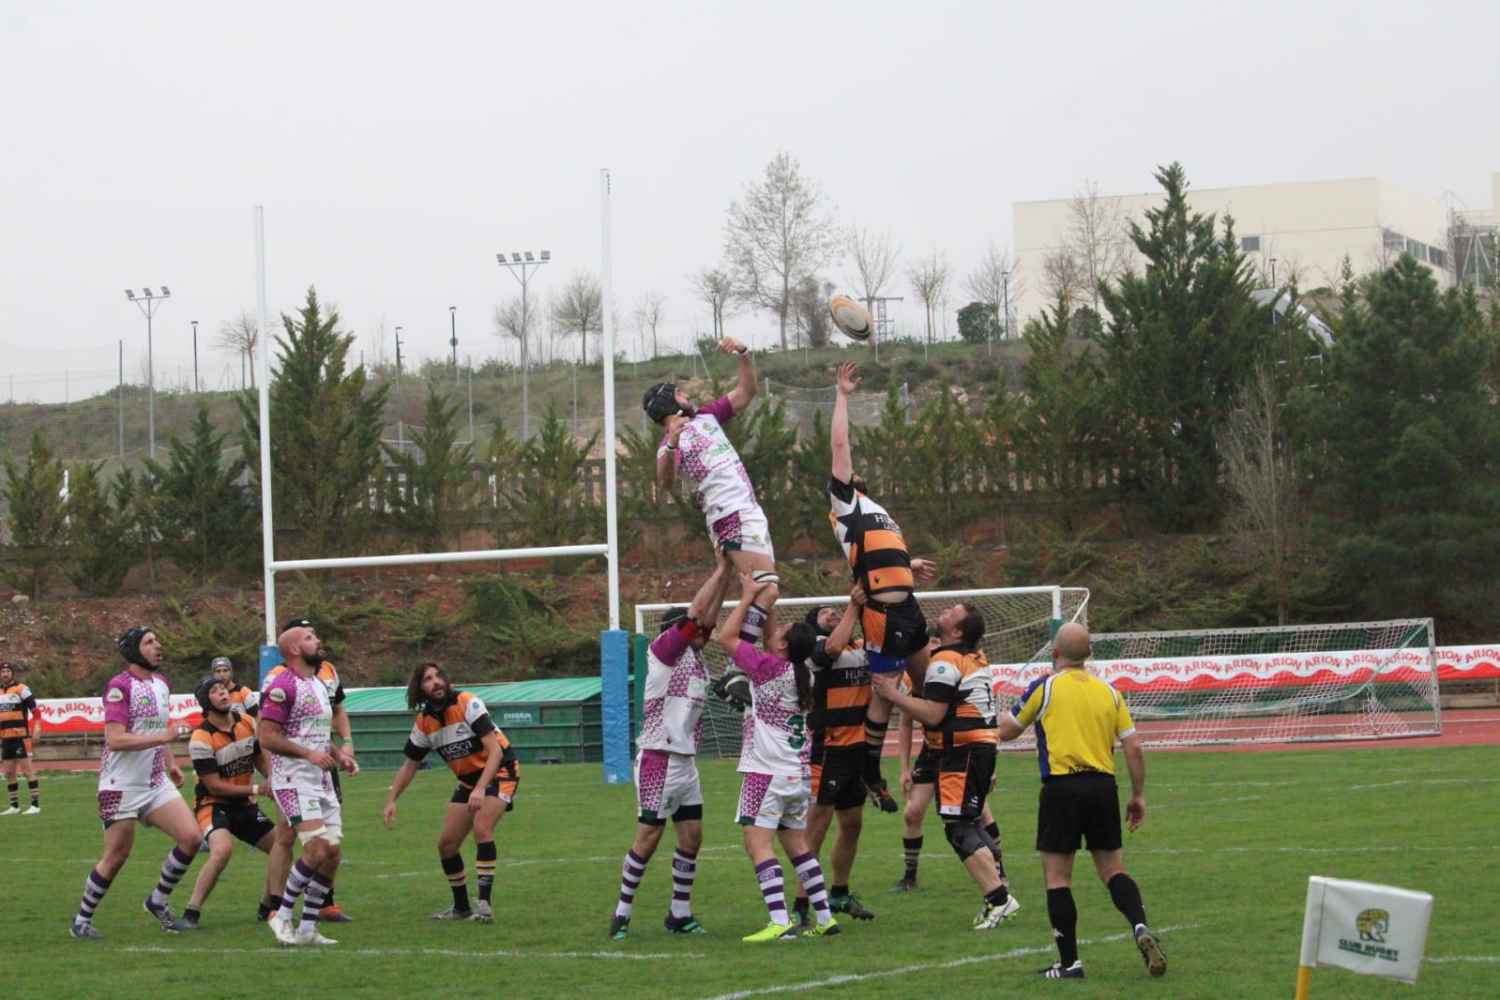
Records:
x=775, y=762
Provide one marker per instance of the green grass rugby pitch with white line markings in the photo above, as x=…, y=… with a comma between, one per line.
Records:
x=1223, y=858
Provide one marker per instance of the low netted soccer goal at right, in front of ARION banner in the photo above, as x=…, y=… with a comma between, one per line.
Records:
x=1288, y=684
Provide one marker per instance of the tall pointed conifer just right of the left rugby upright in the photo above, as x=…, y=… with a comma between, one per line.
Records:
x=326, y=430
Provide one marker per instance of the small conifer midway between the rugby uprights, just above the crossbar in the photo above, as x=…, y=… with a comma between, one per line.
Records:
x=434, y=485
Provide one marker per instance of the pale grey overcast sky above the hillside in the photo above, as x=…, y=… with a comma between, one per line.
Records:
x=397, y=148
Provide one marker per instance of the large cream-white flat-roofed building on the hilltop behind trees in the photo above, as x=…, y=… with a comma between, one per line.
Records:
x=1297, y=230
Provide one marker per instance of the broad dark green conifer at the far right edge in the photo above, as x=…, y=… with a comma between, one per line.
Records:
x=1405, y=443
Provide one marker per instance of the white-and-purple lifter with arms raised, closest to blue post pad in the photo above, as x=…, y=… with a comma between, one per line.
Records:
x=667, y=767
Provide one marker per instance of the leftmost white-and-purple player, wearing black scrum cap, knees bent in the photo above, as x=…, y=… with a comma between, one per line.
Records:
x=139, y=782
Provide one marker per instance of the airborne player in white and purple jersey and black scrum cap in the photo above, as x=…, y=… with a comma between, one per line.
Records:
x=697, y=451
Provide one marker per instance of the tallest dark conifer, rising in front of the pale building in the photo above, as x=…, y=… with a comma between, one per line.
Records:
x=1180, y=343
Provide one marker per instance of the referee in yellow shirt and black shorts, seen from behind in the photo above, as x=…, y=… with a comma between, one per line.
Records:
x=1079, y=717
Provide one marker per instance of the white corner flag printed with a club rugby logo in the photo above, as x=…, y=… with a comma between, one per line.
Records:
x=1366, y=927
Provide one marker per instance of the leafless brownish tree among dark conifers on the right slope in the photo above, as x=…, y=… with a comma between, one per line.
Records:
x=1262, y=475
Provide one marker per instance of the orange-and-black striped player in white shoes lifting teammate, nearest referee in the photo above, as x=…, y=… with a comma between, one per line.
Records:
x=958, y=711
